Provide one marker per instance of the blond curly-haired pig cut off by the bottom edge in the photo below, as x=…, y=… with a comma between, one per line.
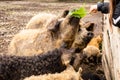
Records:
x=68, y=74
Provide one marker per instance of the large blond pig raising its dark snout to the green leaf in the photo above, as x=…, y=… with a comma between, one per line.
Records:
x=36, y=41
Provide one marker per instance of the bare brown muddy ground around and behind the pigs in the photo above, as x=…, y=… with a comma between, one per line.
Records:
x=14, y=16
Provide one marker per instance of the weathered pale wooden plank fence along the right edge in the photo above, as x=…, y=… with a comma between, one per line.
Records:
x=111, y=47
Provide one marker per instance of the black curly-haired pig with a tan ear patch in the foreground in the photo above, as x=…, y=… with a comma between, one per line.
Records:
x=19, y=67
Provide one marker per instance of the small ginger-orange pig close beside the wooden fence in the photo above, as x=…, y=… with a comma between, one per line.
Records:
x=92, y=50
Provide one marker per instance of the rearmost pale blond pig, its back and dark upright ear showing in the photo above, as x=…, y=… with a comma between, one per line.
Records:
x=42, y=20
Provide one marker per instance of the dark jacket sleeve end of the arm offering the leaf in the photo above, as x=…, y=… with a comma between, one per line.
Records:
x=103, y=7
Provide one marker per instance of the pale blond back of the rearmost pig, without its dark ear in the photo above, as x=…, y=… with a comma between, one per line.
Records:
x=41, y=20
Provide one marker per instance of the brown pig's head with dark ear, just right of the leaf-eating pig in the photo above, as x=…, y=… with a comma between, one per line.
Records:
x=83, y=36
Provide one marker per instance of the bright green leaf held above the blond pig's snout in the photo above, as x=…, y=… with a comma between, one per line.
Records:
x=81, y=12
